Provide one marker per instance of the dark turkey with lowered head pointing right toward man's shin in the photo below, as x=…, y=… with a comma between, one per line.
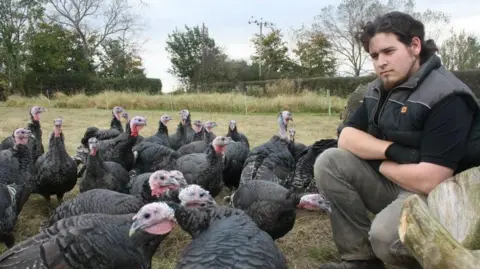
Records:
x=272, y=206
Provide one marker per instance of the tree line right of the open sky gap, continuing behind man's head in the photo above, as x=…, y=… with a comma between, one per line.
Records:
x=321, y=48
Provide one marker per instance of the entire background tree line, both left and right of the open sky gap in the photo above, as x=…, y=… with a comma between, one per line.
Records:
x=47, y=45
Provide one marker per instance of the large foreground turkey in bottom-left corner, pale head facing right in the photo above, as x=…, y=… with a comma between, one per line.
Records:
x=99, y=241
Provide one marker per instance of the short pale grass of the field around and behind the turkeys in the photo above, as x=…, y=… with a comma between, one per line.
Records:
x=307, y=246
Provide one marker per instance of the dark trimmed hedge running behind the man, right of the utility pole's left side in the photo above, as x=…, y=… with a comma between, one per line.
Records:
x=339, y=86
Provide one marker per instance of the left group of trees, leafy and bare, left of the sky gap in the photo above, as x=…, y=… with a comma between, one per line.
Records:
x=49, y=43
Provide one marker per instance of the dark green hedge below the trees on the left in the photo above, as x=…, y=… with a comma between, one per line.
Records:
x=36, y=83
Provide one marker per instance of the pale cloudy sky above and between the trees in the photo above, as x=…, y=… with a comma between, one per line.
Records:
x=227, y=22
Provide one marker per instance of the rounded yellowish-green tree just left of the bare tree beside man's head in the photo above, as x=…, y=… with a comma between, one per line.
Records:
x=315, y=55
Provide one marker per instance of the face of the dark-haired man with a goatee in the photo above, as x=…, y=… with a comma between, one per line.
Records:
x=393, y=60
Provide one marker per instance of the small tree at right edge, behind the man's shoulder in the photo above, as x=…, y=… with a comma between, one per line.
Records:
x=461, y=51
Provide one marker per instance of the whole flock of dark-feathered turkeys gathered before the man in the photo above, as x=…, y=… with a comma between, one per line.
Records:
x=134, y=190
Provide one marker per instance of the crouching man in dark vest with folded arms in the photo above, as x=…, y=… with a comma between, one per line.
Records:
x=407, y=136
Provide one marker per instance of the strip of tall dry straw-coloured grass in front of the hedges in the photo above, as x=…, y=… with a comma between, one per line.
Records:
x=302, y=102
